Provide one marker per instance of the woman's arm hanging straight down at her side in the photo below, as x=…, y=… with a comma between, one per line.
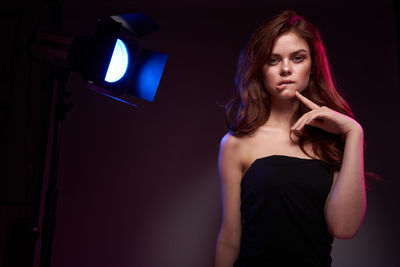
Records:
x=229, y=167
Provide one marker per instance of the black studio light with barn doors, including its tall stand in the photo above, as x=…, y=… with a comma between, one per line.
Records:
x=112, y=63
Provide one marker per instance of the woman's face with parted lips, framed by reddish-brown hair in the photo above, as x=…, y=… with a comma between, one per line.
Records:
x=288, y=68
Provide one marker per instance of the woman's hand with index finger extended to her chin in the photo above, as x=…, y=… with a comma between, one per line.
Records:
x=324, y=118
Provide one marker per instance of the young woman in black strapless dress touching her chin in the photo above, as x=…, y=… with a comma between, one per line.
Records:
x=291, y=167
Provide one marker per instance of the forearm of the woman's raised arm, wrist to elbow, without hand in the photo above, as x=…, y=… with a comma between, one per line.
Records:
x=346, y=205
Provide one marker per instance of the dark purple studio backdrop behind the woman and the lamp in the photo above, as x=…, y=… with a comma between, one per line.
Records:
x=139, y=186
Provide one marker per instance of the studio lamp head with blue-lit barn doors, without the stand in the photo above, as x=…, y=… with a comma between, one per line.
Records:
x=113, y=61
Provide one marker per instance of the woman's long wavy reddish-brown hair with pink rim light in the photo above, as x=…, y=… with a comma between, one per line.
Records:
x=249, y=108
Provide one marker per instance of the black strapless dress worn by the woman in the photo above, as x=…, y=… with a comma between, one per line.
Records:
x=282, y=207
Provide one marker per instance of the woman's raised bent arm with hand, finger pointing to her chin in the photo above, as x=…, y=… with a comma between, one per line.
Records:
x=346, y=204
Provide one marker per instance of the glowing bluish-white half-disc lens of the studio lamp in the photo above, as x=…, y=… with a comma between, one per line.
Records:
x=118, y=63
